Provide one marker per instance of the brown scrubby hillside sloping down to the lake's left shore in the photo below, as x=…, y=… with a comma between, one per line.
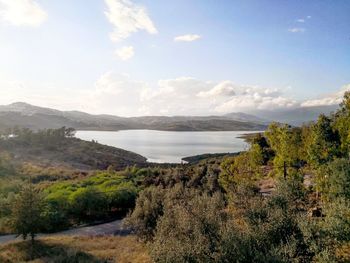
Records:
x=47, y=149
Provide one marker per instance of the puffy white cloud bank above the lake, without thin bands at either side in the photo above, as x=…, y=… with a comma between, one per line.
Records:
x=181, y=96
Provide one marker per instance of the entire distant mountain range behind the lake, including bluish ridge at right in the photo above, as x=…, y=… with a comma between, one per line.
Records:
x=33, y=117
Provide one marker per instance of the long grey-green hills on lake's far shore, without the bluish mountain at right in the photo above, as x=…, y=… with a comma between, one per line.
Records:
x=25, y=115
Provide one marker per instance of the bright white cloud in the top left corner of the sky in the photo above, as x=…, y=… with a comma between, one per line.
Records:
x=22, y=12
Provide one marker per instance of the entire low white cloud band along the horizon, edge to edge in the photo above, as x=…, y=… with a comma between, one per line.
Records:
x=119, y=94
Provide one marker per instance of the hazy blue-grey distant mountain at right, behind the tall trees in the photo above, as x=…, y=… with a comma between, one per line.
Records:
x=296, y=116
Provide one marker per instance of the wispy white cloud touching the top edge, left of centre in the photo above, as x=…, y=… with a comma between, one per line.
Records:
x=127, y=18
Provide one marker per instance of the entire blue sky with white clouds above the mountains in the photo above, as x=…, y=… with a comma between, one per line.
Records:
x=183, y=57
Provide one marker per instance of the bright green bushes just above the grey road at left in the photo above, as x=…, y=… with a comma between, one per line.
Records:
x=99, y=197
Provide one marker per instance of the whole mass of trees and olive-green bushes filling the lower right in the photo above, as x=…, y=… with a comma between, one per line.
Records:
x=234, y=222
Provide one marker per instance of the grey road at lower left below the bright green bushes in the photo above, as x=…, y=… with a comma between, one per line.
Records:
x=111, y=228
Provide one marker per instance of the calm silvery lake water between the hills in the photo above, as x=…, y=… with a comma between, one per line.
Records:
x=169, y=146
